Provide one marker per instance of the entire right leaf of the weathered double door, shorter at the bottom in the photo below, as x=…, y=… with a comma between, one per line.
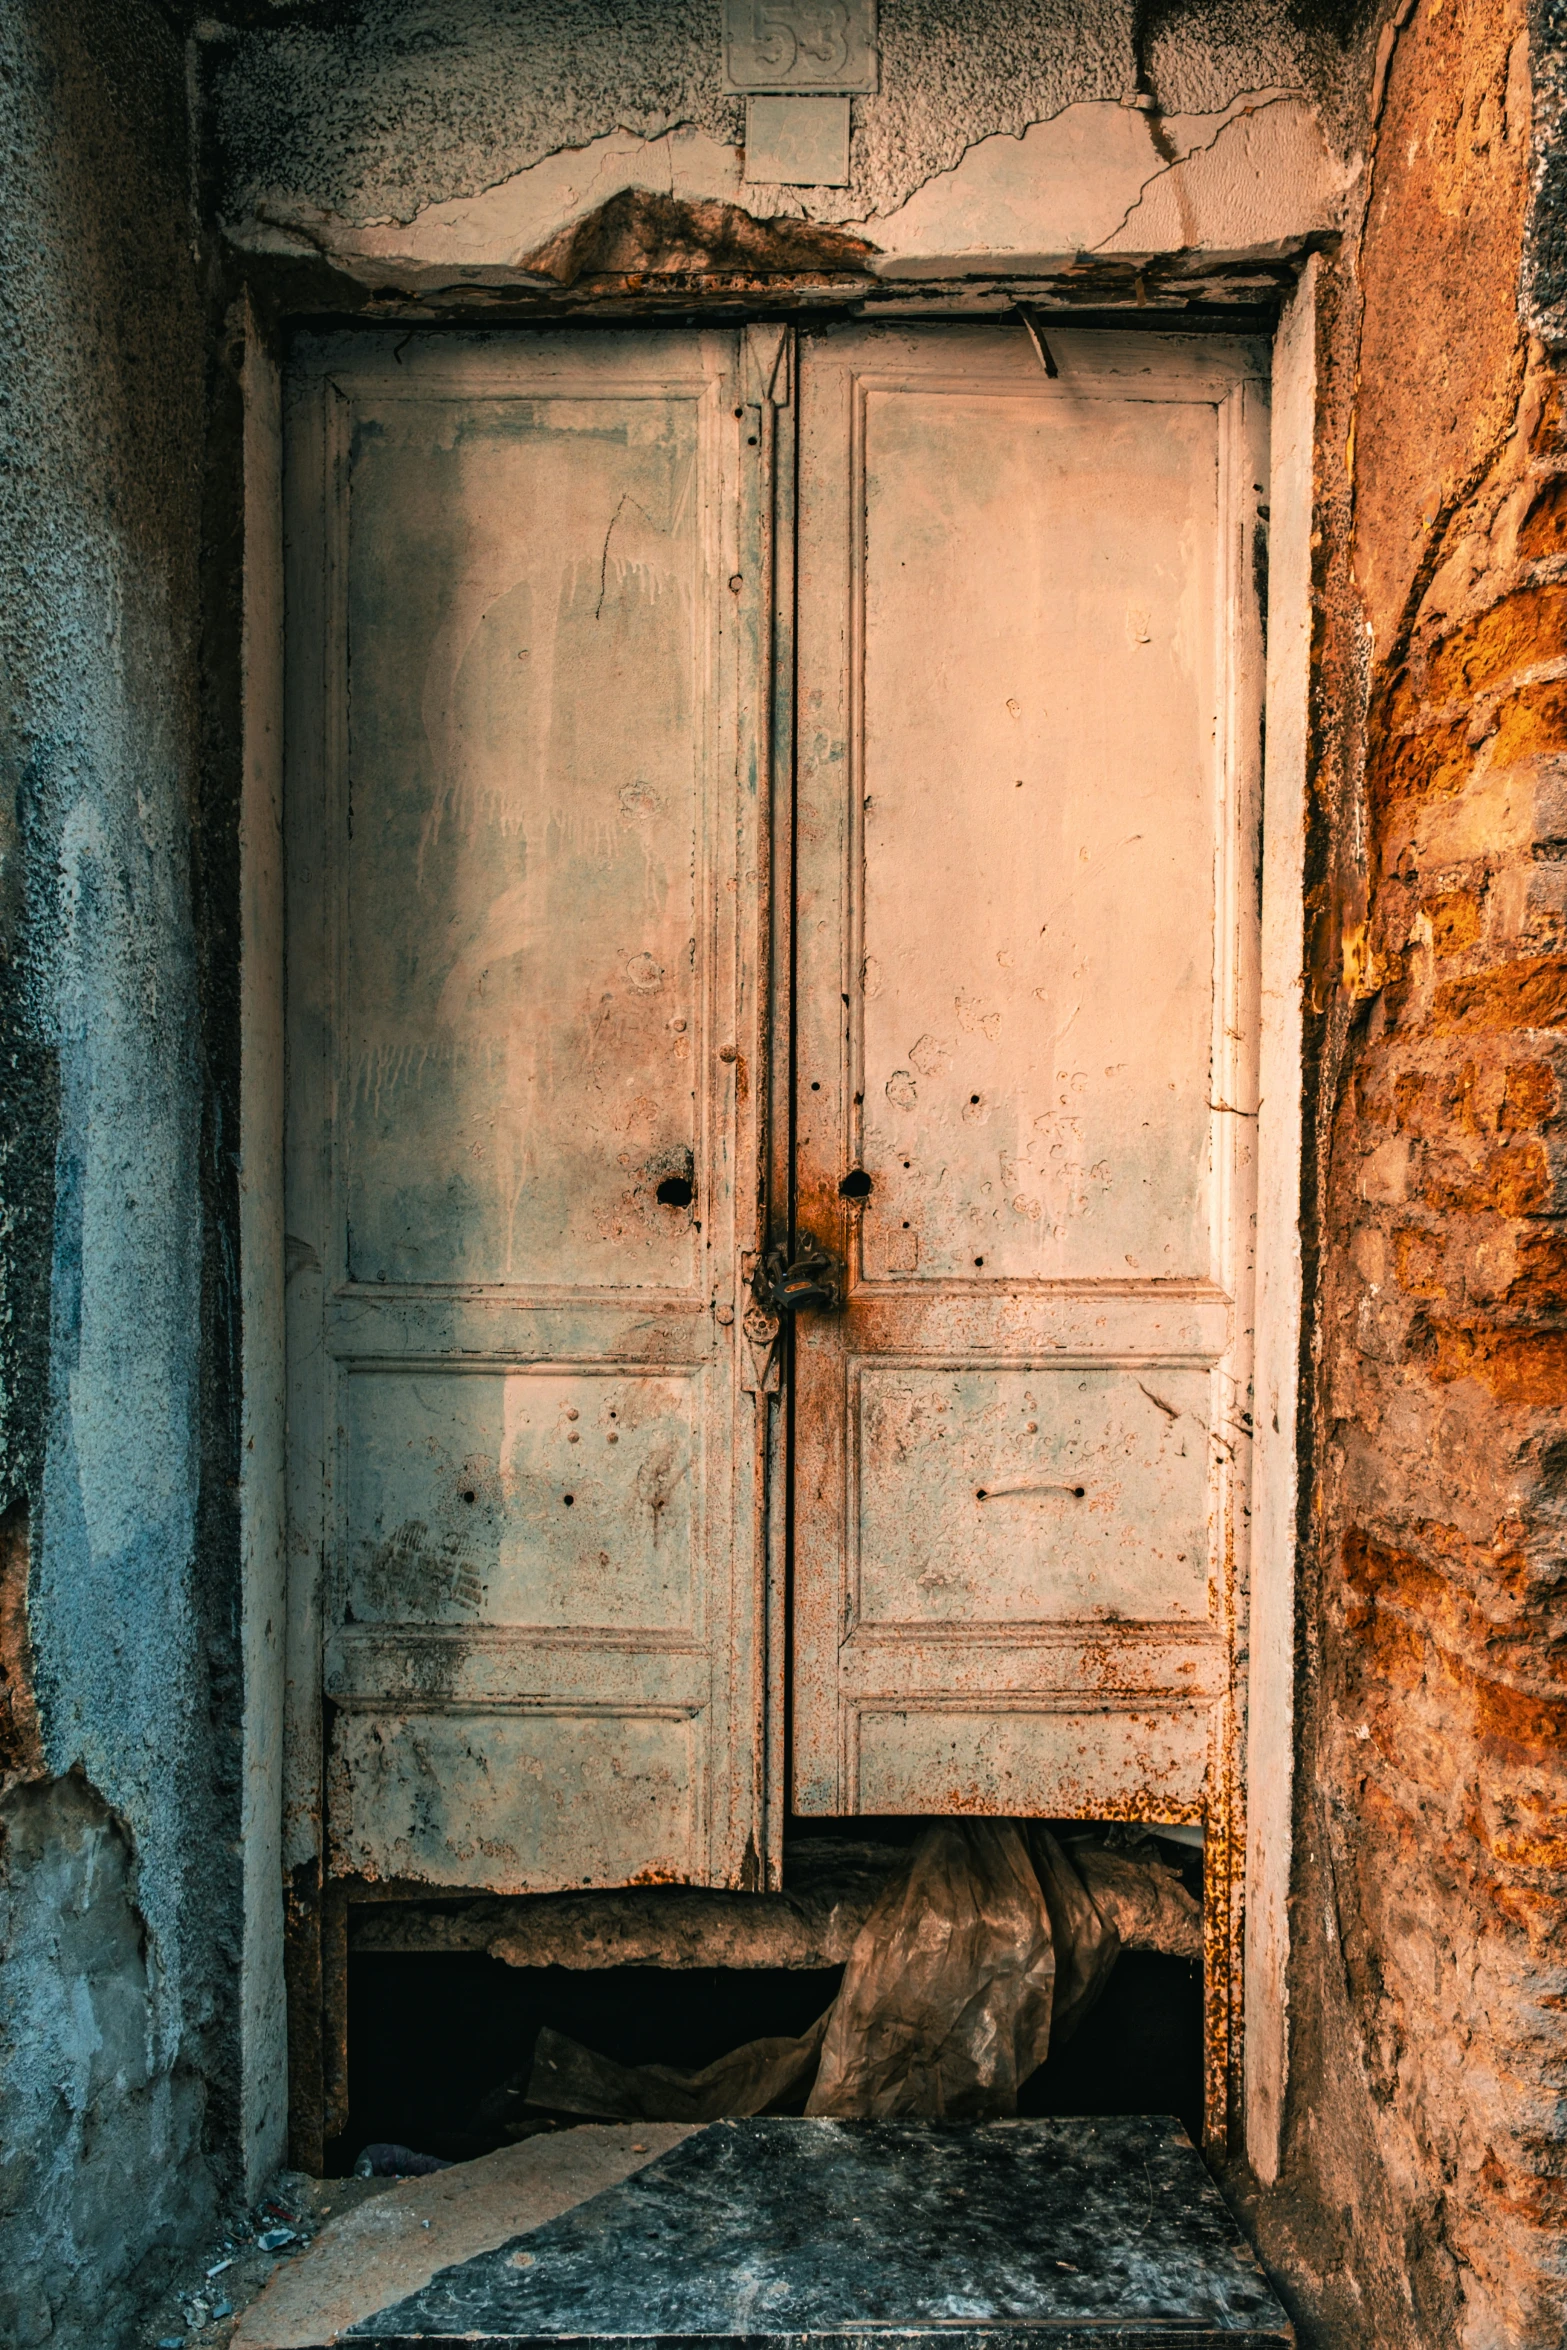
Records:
x=1025, y=1007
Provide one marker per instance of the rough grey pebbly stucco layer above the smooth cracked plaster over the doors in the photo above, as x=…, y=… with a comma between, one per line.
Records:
x=389, y=114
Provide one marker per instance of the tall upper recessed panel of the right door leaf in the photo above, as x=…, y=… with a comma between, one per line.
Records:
x=1037, y=631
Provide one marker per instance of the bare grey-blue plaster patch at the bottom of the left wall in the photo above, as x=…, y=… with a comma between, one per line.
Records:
x=93, y=2107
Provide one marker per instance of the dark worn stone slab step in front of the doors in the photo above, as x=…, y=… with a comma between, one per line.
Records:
x=795, y=2231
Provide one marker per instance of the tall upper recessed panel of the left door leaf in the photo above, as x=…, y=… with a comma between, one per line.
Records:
x=530, y=690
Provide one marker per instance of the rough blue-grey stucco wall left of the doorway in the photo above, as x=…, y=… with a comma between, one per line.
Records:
x=116, y=1844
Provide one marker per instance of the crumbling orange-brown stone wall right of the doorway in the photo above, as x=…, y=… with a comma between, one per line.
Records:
x=1427, y=2156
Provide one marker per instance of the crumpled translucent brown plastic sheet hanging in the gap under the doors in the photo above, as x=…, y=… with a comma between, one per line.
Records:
x=976, y=1959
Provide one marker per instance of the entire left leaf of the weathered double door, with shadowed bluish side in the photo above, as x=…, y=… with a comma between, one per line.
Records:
x=523, y=986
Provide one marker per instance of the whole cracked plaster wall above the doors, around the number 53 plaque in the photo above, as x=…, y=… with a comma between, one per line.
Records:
x=415, y=147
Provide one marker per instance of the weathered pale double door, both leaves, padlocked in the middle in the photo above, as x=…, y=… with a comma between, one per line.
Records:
x=753, y=793
